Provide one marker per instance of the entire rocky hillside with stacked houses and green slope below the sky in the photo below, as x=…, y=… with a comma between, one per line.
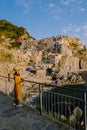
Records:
x=58, y=59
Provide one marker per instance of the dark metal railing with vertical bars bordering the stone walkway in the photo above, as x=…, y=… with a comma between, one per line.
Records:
x=51, y=100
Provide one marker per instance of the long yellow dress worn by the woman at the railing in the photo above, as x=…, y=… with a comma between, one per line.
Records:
x=17, y=87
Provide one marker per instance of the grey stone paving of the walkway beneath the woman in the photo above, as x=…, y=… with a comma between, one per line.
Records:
x=23, y=118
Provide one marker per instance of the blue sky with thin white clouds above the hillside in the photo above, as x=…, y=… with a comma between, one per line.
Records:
x=47, y=18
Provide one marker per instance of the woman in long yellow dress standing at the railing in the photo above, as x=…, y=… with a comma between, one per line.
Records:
x=17, y=88
